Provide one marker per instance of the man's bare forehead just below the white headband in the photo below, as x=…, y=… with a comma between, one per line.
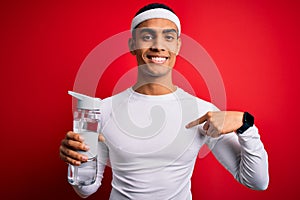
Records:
x=158, y=24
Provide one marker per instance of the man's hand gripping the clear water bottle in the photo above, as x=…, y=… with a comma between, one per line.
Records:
x=72, y=143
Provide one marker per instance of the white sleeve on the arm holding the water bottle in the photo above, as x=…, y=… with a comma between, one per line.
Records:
x=102, y=159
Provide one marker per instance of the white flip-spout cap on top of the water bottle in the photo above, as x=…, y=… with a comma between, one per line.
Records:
x=86, y=102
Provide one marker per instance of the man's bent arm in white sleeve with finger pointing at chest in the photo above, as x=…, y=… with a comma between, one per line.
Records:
x=243, y=154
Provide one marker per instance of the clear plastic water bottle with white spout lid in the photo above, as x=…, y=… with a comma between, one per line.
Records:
x=87, y=124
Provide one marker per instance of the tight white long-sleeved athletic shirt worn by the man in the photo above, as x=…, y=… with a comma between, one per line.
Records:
x=152, y=154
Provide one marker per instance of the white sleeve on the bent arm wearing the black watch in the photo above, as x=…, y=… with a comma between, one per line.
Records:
x=244, y=156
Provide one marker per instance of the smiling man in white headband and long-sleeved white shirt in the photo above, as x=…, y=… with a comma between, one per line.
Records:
x=149, y=132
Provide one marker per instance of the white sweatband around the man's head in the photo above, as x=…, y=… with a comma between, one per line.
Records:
x=153, y=14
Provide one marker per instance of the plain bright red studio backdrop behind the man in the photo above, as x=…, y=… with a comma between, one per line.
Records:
x=255, y=45
